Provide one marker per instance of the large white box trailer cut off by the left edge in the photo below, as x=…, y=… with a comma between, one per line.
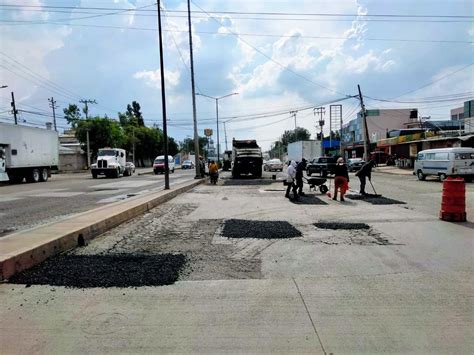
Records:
x=27, y=153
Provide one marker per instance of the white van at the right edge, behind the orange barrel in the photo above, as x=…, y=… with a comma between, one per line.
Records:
x=445, y=162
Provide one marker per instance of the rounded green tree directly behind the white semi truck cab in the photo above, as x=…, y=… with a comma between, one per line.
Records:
x=103, y=132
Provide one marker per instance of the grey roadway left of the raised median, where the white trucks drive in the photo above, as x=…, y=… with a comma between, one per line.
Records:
x=26, y=205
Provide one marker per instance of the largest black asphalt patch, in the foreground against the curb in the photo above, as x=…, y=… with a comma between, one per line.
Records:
x=87, y=271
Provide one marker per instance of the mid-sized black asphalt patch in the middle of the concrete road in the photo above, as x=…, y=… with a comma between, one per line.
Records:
x=242, y=228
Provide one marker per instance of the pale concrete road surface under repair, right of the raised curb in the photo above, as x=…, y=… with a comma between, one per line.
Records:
x=403, y=286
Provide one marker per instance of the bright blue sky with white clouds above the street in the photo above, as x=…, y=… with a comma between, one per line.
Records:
x=278, y=56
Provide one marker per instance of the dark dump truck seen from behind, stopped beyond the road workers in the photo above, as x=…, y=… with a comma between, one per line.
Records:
x=246, y=158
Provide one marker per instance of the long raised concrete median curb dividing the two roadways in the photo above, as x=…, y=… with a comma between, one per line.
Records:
x=22, y=250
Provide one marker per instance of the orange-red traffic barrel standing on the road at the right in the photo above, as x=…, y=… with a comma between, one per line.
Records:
x=453, y=203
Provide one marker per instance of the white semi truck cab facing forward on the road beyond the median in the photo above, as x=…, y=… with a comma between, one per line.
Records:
x=111, y=162
